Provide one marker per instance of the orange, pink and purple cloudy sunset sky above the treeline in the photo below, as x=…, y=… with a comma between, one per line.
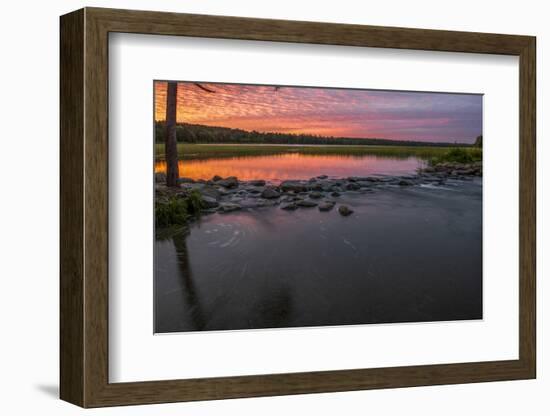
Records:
x=430, y=117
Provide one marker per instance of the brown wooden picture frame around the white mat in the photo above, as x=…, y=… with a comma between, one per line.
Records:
x=84, y=207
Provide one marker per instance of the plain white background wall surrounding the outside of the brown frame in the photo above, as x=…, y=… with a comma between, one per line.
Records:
x=29, y=207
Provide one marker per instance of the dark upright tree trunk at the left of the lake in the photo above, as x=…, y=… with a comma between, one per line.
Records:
x=170, y=143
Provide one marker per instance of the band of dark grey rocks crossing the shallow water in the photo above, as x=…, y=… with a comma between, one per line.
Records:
x=322, y=192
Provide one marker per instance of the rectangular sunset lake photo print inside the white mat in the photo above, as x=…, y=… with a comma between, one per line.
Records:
x=292, y=206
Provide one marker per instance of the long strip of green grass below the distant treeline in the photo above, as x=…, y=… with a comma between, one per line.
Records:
x=202, y=151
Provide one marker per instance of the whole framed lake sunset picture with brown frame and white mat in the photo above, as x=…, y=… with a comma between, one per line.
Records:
x=261, y=207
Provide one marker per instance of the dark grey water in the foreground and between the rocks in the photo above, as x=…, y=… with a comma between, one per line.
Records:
x=412, y=254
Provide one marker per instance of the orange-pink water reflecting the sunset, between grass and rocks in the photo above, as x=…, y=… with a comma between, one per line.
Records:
x=276, y=168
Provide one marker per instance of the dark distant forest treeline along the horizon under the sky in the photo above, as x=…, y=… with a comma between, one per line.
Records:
x=197, y=133
